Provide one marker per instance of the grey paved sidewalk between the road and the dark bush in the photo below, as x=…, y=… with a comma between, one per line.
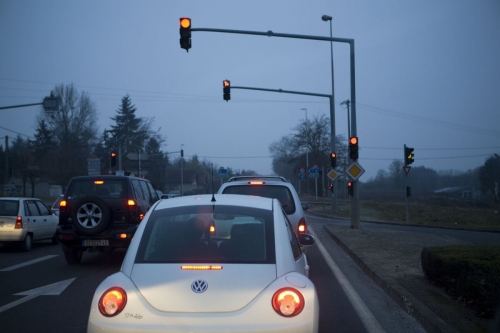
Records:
x=392, y=260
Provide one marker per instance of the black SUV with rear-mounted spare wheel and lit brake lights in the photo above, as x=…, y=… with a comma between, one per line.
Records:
x=102, y=213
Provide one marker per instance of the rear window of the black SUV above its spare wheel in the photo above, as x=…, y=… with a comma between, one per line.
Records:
x=102, y=188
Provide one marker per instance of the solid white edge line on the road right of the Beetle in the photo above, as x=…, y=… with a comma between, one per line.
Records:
x=369, y=321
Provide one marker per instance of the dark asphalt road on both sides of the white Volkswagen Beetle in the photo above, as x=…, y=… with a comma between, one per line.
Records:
x=39, y=292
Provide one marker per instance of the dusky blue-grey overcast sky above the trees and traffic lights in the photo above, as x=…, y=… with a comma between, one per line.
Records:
x=427, y=73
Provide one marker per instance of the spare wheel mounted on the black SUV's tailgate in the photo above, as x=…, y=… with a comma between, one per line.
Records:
x=90, y=215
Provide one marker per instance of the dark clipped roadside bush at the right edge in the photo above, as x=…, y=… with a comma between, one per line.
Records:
x=469, y=273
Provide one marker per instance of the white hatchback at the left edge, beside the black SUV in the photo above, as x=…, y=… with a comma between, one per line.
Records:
x=24, y=220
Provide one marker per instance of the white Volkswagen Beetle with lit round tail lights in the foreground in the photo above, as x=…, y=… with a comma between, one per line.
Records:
x=179, y=276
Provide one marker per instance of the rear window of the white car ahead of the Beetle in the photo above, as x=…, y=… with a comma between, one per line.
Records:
x=282, y=193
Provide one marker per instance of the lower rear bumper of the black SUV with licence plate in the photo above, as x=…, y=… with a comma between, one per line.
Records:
x=119, y=238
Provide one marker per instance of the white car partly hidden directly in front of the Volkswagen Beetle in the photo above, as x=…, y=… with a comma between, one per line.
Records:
x=271, y=187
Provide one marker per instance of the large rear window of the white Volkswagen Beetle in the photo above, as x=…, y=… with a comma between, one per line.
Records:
x=208, y=234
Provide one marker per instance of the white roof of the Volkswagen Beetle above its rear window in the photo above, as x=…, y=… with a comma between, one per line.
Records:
x=220, y=199
